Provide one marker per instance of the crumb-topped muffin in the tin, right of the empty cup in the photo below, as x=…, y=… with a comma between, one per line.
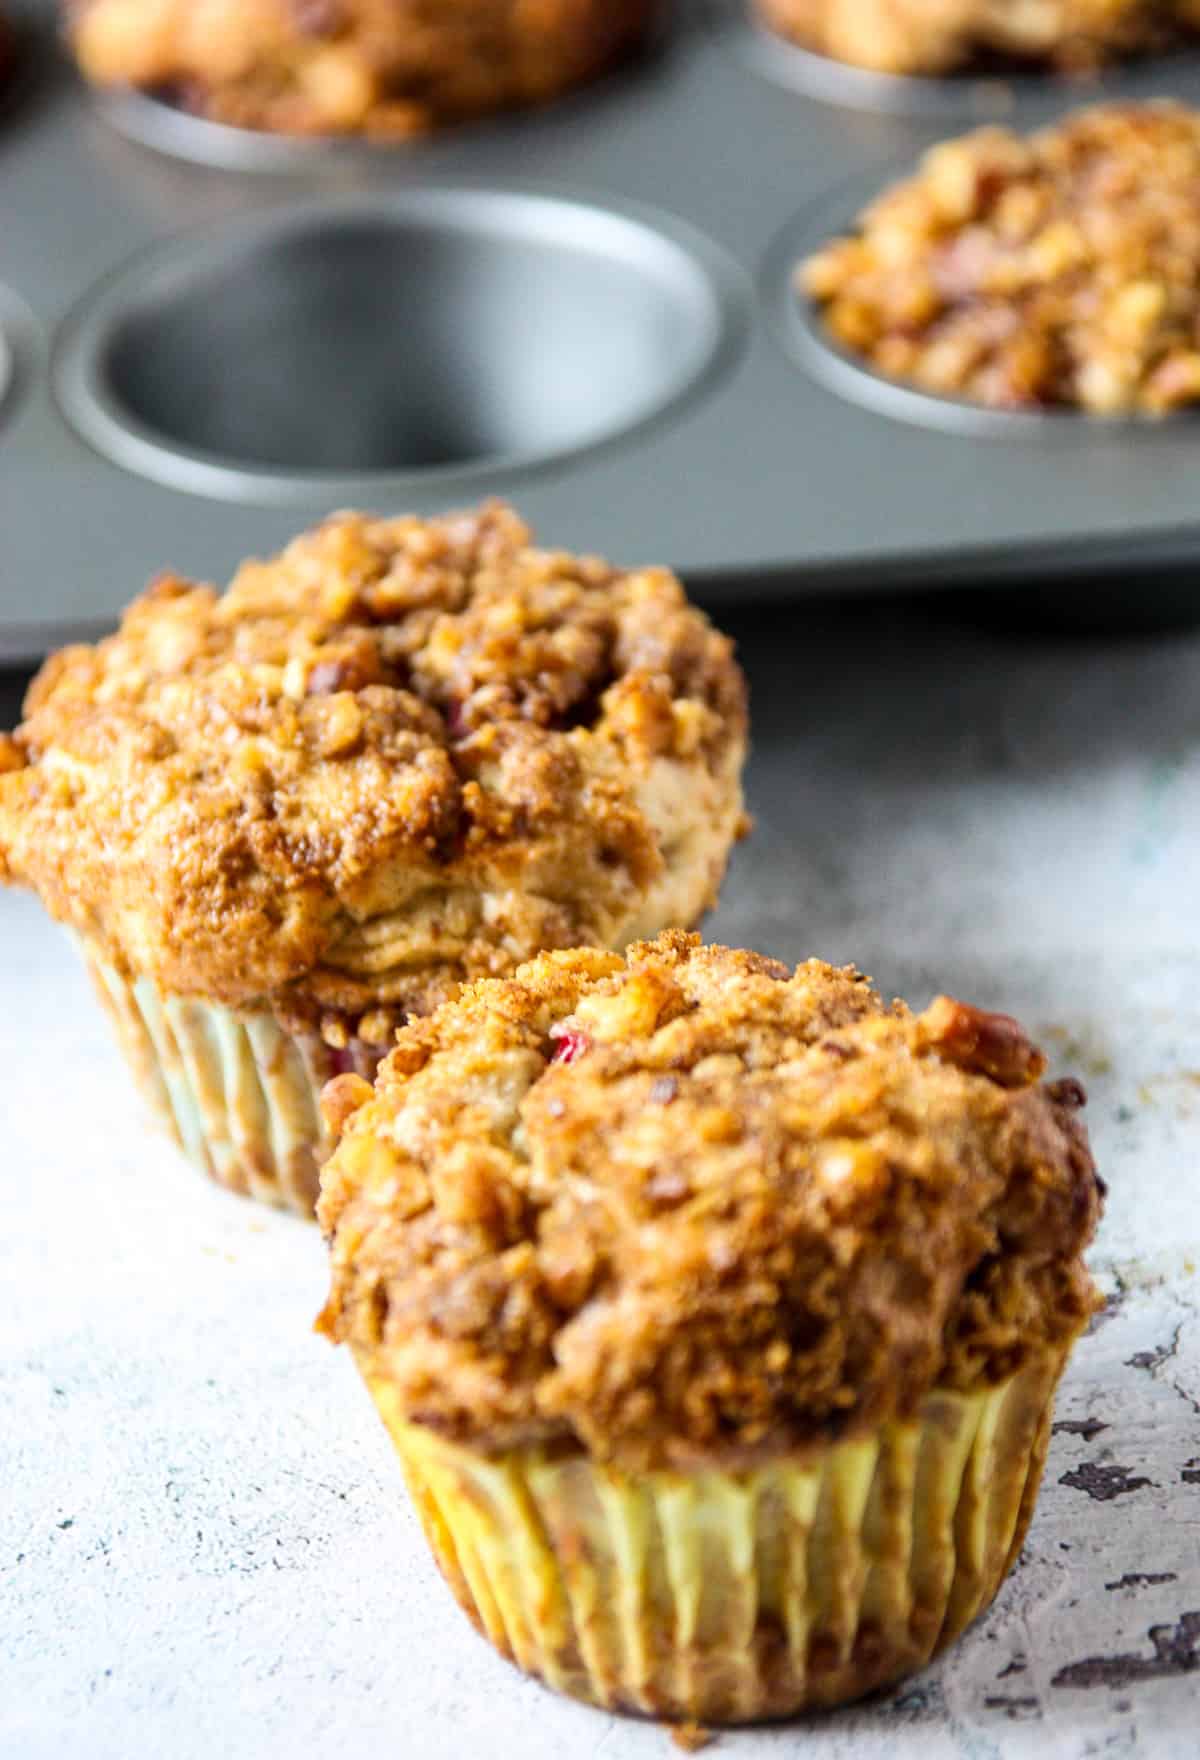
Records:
x=1057, y=272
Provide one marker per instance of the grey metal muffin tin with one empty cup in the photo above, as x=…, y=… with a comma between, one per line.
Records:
x=212, y=339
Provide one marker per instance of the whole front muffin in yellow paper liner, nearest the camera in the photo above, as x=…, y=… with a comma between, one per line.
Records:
x=715, y=1312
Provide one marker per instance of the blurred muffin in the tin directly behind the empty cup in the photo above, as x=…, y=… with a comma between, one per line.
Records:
x=383, y=68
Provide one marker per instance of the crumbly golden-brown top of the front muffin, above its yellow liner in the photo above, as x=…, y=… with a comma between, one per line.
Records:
x=692, y=1206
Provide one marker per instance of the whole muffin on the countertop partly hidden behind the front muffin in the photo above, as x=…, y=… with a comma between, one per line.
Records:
x=399, y=756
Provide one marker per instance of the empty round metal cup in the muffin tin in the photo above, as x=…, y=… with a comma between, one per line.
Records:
x=430, y=337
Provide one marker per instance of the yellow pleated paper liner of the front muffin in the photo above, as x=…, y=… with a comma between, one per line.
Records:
x=722, y=1595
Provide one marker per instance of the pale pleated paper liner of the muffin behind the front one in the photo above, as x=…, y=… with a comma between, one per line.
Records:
x=238, y=1092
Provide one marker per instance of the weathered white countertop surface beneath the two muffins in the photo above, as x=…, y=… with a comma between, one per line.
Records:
x=205, y=1546
